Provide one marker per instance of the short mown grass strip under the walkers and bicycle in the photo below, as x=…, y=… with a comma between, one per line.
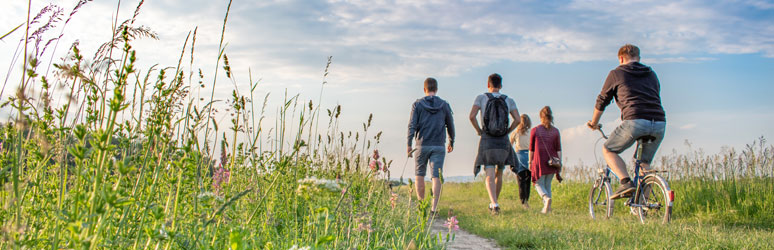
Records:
x=569, y=226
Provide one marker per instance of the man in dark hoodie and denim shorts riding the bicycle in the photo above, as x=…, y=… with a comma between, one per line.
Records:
x=636, y=90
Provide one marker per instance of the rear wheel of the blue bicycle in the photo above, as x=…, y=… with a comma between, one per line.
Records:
x=653, y=201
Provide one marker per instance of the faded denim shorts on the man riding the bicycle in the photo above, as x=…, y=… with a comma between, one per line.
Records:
x=630, y=130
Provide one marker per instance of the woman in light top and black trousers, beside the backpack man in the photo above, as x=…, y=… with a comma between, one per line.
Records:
x=520, y=142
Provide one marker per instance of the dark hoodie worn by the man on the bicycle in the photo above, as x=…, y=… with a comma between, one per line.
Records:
x=636, y=90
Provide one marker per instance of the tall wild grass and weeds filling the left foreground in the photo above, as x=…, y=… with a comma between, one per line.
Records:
x=133, y=160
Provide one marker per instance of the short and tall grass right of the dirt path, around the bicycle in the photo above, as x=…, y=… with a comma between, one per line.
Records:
x=722, y=201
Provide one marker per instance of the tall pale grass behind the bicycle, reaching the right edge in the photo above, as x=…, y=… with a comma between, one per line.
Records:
x=732, y=186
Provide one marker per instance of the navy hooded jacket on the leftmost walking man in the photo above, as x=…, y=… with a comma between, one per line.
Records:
x=430, y=115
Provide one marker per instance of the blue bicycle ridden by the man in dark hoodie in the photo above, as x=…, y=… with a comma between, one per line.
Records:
x=651, y=201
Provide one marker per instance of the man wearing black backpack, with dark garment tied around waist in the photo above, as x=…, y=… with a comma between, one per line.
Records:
x=494, y=149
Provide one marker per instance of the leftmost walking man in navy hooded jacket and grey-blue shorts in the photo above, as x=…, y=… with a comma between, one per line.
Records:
x=431, y=119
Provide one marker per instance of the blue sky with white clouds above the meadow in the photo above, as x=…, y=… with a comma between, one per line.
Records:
x=715, y=59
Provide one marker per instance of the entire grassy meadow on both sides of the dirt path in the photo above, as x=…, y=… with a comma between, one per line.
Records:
x=99, y=153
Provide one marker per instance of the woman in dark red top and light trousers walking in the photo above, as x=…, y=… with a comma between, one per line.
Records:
x=545, y=149
